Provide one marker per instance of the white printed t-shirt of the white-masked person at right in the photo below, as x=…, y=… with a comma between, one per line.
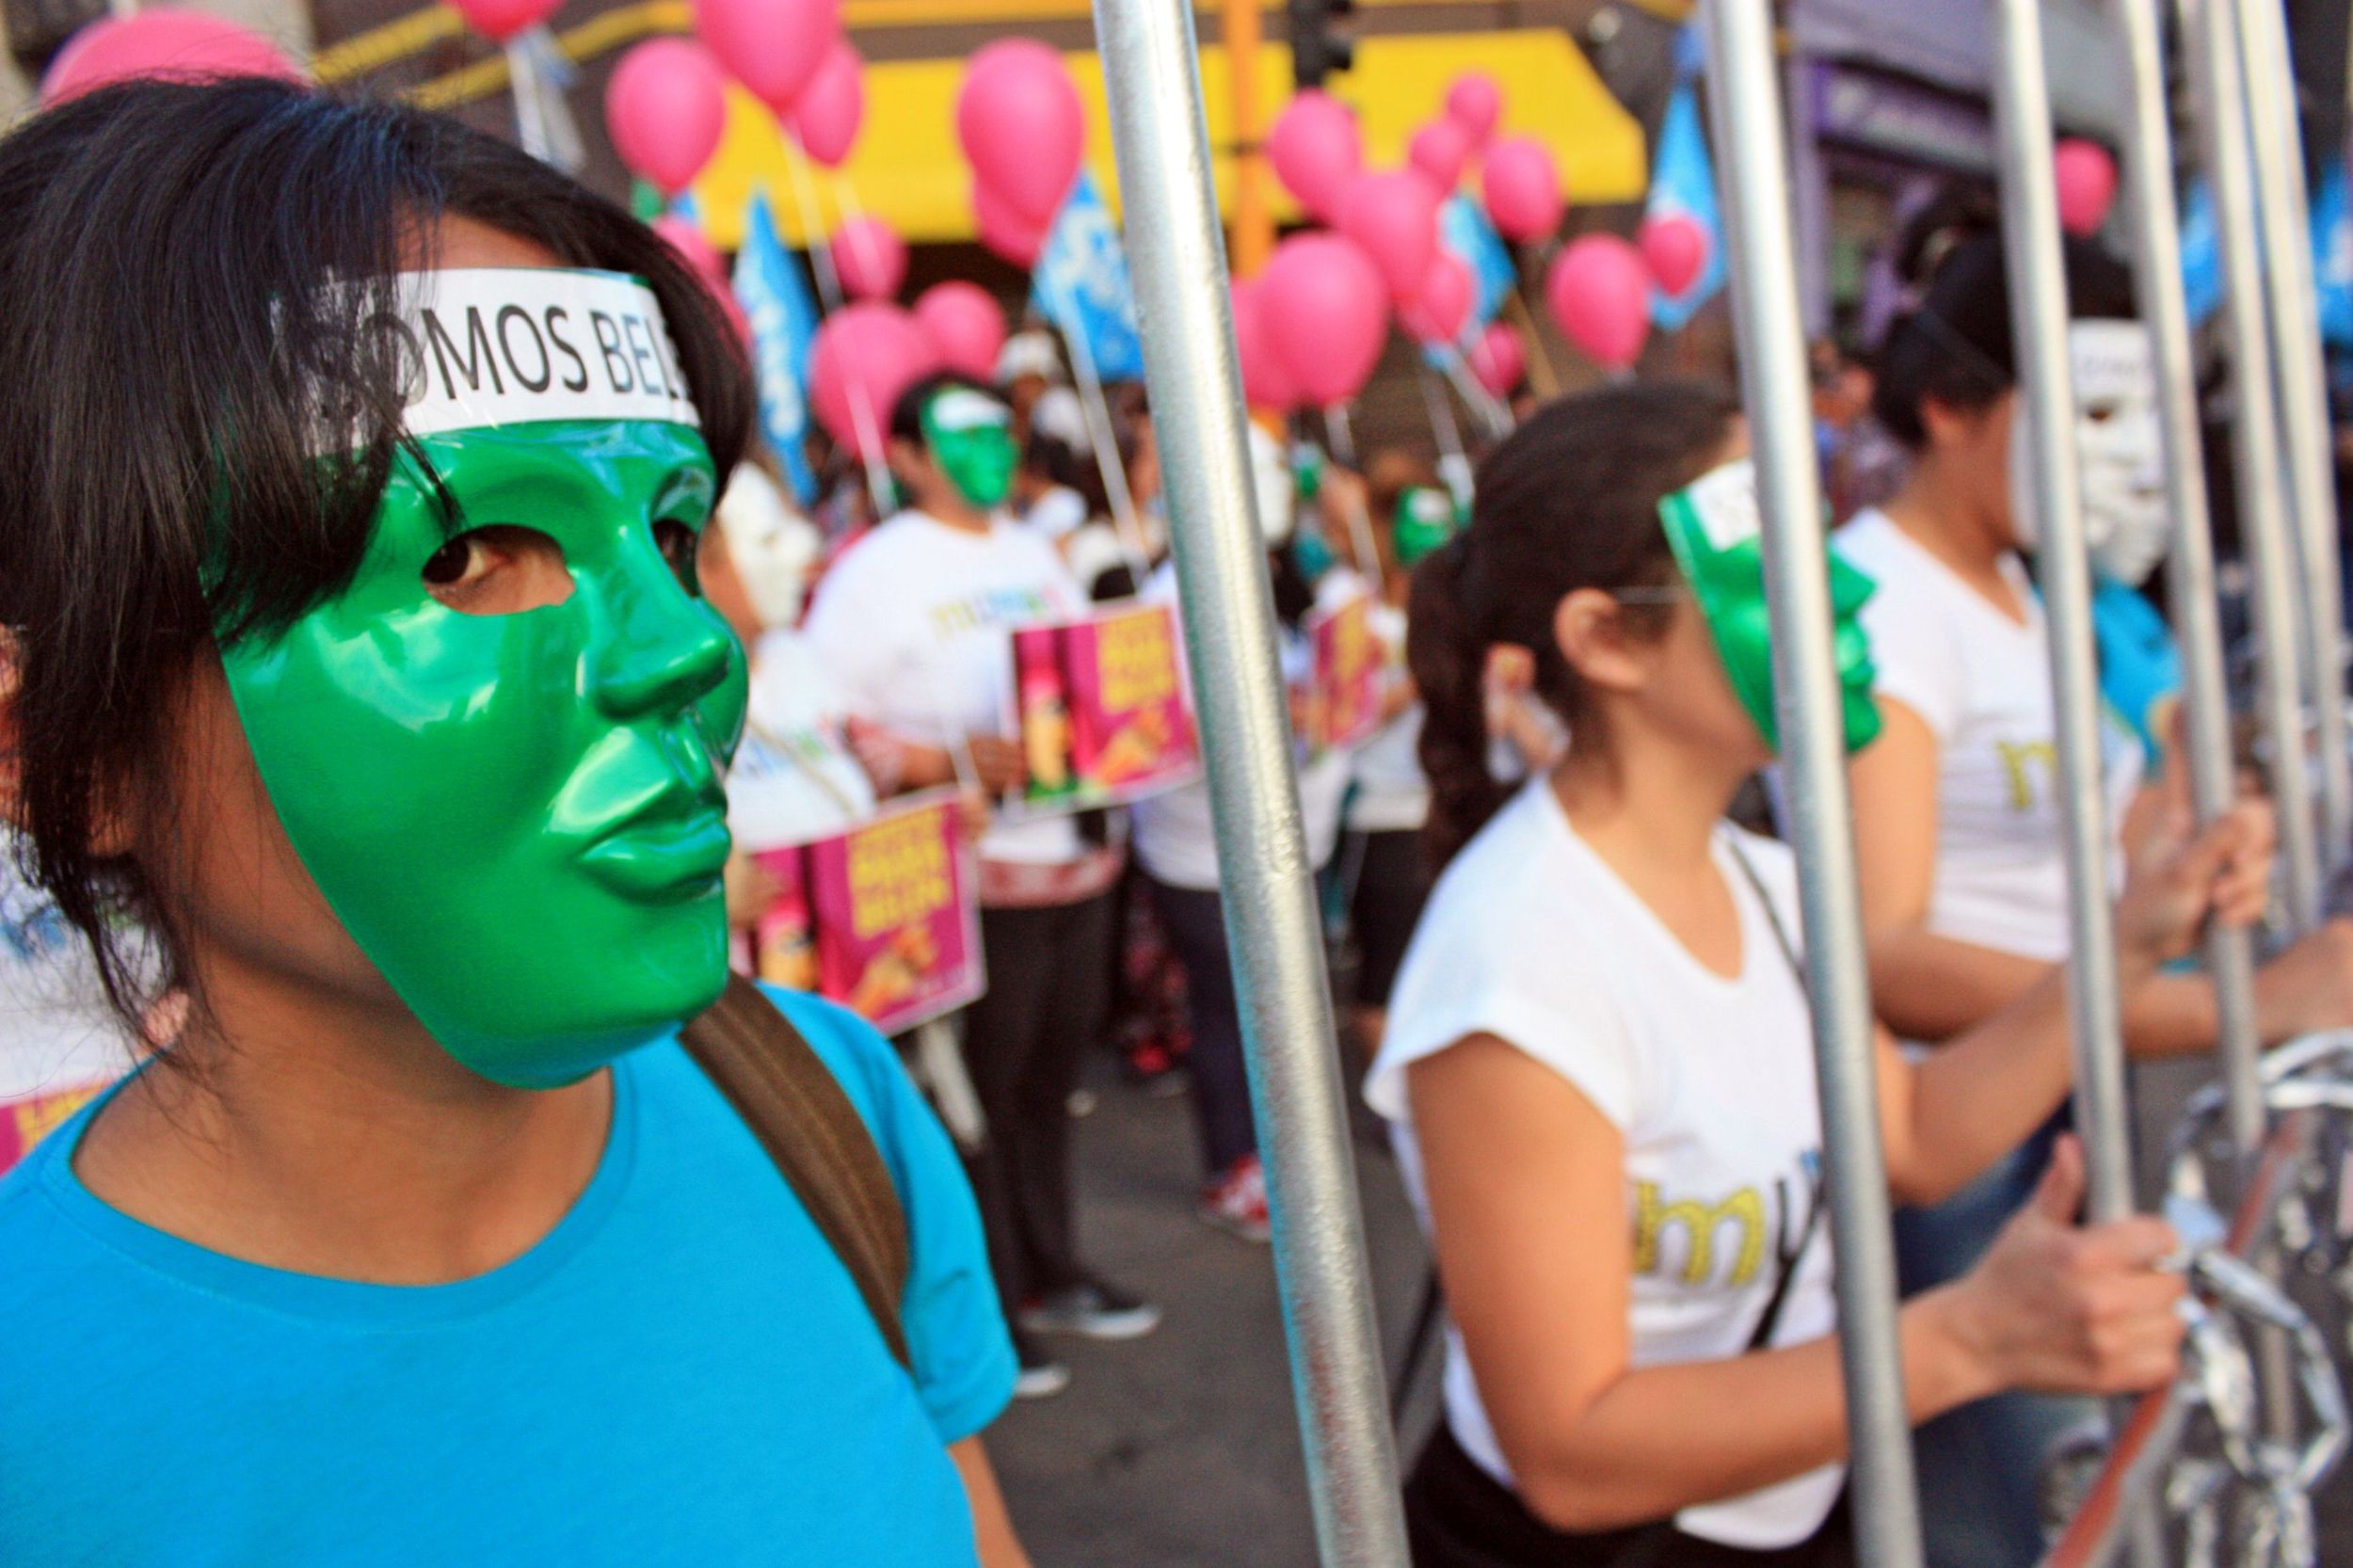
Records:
x=1982, y=684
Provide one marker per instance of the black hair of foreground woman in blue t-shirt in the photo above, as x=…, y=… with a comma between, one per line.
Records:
x=201, y=300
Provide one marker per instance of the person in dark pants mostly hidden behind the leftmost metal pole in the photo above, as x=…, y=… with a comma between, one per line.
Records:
x=1178, y=851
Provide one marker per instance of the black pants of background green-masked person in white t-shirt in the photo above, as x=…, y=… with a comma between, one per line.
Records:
x=1048, y=1002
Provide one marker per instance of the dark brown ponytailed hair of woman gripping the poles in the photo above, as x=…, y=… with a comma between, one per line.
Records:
x=1568, y=503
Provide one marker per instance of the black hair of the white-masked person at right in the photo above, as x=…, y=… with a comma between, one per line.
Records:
x=1957, y=345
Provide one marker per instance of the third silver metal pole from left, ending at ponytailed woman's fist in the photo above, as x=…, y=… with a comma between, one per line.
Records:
x=2039, y=317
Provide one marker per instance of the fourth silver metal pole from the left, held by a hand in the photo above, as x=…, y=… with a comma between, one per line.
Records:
x=2189, y=566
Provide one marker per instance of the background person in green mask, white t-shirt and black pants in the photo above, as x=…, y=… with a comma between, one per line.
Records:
x=916, y=625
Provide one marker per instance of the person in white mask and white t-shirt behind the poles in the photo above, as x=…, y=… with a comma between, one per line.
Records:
x=1957, y=809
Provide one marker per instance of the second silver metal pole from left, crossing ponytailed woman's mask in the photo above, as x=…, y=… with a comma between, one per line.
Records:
x=1754, y=175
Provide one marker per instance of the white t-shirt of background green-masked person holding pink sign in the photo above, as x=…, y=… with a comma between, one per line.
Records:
x=916, y=623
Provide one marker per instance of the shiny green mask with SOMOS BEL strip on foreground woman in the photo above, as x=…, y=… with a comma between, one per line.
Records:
x=521, y=816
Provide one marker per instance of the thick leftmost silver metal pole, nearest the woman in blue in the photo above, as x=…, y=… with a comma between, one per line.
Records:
x=1272, y=919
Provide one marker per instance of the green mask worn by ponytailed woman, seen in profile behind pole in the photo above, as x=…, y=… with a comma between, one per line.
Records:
x=1719, y=545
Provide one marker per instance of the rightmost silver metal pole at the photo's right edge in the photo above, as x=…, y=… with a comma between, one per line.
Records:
x=2305, y=399
